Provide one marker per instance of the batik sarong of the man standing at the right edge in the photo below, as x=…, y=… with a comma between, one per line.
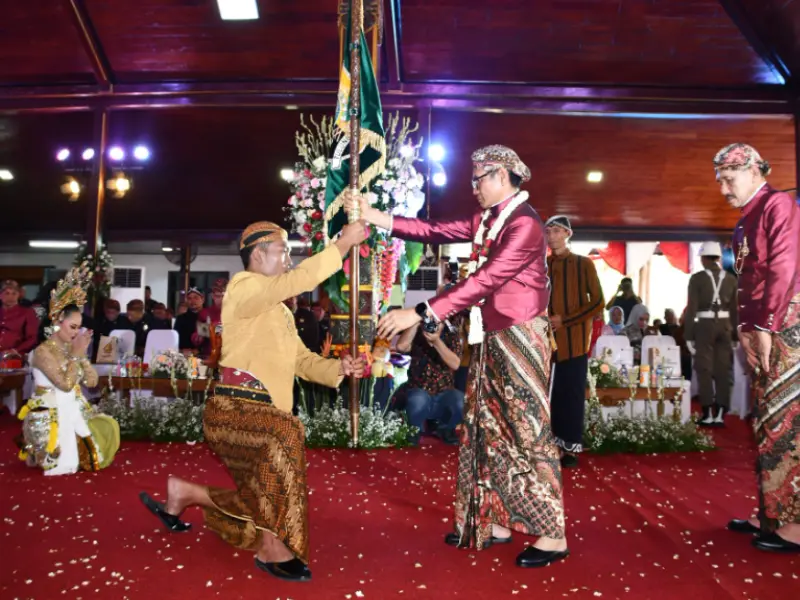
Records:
x=777, y=428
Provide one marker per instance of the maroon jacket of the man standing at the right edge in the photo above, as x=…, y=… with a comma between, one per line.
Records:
x=770, y=272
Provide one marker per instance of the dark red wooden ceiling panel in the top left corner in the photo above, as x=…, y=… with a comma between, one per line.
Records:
x=39, y=44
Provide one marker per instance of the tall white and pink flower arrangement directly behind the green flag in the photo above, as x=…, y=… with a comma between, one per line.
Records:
x=398, y=190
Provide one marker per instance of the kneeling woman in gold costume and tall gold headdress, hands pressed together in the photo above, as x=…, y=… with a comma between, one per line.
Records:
x=61, y=431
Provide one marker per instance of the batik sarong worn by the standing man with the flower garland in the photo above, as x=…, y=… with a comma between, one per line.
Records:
x=509, y=470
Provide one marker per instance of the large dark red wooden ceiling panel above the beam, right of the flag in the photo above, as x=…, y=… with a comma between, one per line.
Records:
x=681, y=42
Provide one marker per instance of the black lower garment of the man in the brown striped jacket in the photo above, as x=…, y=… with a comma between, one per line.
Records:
x=568, y=402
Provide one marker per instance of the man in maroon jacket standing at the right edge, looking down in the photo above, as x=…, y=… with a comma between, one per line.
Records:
x=766, y=247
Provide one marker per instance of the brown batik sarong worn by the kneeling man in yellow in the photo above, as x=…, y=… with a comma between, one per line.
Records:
x=264, y=450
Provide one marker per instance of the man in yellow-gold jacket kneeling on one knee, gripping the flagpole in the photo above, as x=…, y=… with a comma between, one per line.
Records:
x=248, y=422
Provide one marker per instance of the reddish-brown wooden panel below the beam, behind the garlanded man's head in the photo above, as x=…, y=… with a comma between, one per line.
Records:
x=657, y=172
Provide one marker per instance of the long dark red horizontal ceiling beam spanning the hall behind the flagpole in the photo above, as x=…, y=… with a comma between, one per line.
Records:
x=464, y=96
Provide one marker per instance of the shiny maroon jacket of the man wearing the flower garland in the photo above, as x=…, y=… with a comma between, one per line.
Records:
x=514, y=278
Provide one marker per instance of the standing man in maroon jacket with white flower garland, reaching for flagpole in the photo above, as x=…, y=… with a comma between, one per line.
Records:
x=509, y=474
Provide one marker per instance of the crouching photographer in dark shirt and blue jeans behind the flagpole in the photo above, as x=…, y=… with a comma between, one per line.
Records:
x=430, y=393
